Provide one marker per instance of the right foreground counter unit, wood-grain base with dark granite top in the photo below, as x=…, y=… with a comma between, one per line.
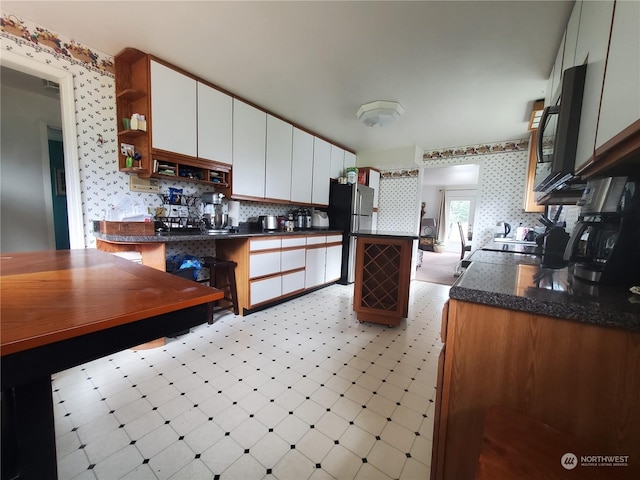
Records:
x=534, y=339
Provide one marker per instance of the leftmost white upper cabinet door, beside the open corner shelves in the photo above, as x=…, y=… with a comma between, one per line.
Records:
x=173, y=111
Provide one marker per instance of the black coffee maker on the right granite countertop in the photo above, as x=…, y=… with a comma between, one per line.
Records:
x=604, y=246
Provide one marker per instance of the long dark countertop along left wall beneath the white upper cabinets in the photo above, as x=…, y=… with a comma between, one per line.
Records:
x=188, y=237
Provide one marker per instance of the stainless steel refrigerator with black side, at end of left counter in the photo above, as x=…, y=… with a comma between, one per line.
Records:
x=350, y=210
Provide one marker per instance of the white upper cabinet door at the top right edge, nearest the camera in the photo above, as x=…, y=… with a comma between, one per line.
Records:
x=621, y=94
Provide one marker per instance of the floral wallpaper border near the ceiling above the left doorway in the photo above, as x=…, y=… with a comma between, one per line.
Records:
x=24, y=31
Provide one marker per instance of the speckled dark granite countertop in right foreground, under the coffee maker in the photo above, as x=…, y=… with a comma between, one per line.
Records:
x=522, y=282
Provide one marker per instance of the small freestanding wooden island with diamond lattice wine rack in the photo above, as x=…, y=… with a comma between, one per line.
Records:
x=382, y=276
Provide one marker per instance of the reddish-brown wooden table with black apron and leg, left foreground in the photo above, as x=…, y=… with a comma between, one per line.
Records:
x=64, y=308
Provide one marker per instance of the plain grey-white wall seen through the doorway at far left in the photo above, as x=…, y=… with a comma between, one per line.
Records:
x=23, y=186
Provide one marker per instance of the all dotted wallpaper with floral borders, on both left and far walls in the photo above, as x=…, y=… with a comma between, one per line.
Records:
x=502, y=174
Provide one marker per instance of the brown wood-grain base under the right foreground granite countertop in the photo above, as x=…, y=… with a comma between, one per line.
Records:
x=579, y=379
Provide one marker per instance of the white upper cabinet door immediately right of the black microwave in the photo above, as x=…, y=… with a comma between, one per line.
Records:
x=591, y=49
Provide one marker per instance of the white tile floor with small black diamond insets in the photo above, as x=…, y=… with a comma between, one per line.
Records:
x=298, y=391
